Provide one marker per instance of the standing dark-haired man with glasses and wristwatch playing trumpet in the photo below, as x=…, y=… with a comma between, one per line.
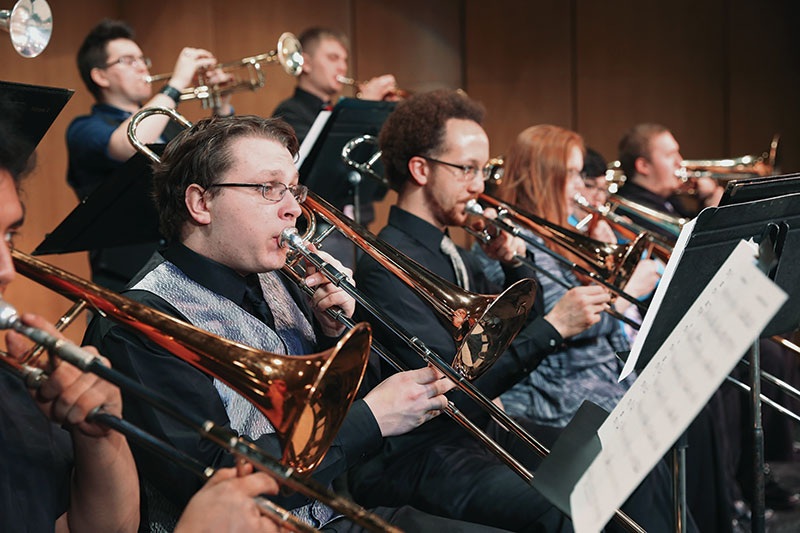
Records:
x=114, y=69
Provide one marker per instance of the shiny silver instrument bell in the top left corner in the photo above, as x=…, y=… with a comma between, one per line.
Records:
x=30, y=25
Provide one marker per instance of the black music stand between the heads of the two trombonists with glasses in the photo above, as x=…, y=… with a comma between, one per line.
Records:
x=323, y=170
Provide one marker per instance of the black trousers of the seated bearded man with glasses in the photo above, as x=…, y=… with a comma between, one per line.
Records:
x=459, y=478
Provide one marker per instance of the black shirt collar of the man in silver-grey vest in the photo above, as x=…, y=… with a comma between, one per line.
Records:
x=214, y=276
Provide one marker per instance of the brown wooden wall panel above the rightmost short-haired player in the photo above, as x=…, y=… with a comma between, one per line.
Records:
x=651, y=62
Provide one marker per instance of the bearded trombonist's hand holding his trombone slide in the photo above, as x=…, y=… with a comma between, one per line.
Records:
x=578, y=309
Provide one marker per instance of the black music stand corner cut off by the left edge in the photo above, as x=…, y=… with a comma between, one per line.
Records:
x=30, y=110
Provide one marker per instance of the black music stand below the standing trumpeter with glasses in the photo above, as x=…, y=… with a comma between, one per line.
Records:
x=120, y=212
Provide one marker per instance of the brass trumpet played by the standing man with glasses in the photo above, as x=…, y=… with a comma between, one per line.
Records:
x=289, y=54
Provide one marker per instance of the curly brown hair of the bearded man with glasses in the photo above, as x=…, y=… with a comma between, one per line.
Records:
x=417, y=127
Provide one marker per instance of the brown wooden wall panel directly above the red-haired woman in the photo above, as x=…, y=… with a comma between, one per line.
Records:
x=518, y=65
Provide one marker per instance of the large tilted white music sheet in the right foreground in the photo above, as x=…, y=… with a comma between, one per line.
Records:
x=713, y=335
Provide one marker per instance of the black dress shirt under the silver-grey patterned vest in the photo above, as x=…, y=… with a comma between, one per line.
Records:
x=193, y=390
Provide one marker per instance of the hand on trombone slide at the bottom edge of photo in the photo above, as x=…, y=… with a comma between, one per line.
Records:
x=225, y=504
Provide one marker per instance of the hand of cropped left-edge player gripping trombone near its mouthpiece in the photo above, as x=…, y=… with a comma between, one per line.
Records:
x=68, y=395
